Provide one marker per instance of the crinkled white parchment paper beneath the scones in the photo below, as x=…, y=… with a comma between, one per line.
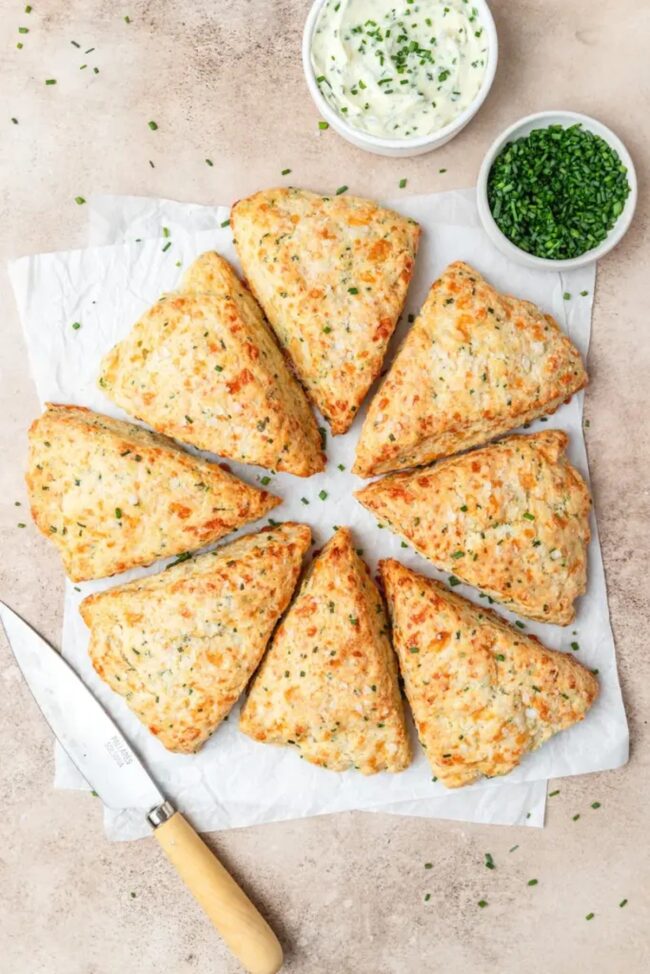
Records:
x=234, y=781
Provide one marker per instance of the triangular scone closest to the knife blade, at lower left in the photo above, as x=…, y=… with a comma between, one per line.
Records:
x=181, y=646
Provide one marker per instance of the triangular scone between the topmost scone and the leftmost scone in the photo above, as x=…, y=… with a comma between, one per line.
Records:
x=202, y=366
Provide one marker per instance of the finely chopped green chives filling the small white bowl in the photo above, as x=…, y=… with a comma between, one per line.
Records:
x=557, y=192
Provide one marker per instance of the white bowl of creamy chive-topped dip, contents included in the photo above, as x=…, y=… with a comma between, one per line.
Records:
x=399, y=77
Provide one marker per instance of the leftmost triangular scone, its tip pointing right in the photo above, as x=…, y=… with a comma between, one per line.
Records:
x=112, y=495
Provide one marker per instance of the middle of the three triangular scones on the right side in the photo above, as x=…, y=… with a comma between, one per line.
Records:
x=512, y=519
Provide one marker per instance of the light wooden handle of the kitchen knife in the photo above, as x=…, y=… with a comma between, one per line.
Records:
x=242, y=927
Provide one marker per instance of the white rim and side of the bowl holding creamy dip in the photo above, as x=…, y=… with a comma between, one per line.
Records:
x=400, y=147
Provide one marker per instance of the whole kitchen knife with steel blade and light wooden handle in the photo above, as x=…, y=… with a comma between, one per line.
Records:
x=110, y=766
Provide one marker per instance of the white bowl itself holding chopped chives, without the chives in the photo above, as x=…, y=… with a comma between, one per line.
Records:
x=523, y=127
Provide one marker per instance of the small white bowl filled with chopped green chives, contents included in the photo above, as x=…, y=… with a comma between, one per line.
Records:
x=556, y=190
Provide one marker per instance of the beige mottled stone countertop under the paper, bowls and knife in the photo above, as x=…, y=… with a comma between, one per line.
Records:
x=223, y=80
